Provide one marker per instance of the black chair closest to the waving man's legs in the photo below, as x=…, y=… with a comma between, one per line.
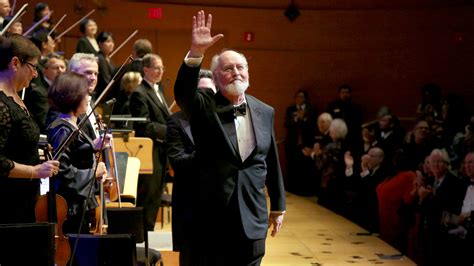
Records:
x=130, y=221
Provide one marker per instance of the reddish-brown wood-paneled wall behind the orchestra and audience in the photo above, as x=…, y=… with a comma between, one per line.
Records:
x=386, y=55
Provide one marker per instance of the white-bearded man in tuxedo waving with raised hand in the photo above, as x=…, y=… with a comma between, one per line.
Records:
x=237, y=157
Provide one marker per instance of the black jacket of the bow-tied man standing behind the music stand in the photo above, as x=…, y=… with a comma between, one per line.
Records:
x=145, y=103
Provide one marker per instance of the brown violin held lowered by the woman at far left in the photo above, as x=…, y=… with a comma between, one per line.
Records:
x=52, y=208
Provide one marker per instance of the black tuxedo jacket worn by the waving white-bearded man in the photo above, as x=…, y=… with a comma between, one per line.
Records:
x=226, y=184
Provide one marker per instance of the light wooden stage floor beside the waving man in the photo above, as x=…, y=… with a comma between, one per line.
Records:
x=312, y=235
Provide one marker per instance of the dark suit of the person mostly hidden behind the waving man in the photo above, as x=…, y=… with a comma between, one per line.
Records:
x=181, y=152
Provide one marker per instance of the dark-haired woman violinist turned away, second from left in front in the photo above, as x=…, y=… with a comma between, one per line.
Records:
x=79, y=171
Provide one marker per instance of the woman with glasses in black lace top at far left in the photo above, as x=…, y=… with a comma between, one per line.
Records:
x=20, y=168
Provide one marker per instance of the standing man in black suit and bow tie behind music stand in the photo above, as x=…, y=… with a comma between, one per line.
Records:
x=147, y=100
